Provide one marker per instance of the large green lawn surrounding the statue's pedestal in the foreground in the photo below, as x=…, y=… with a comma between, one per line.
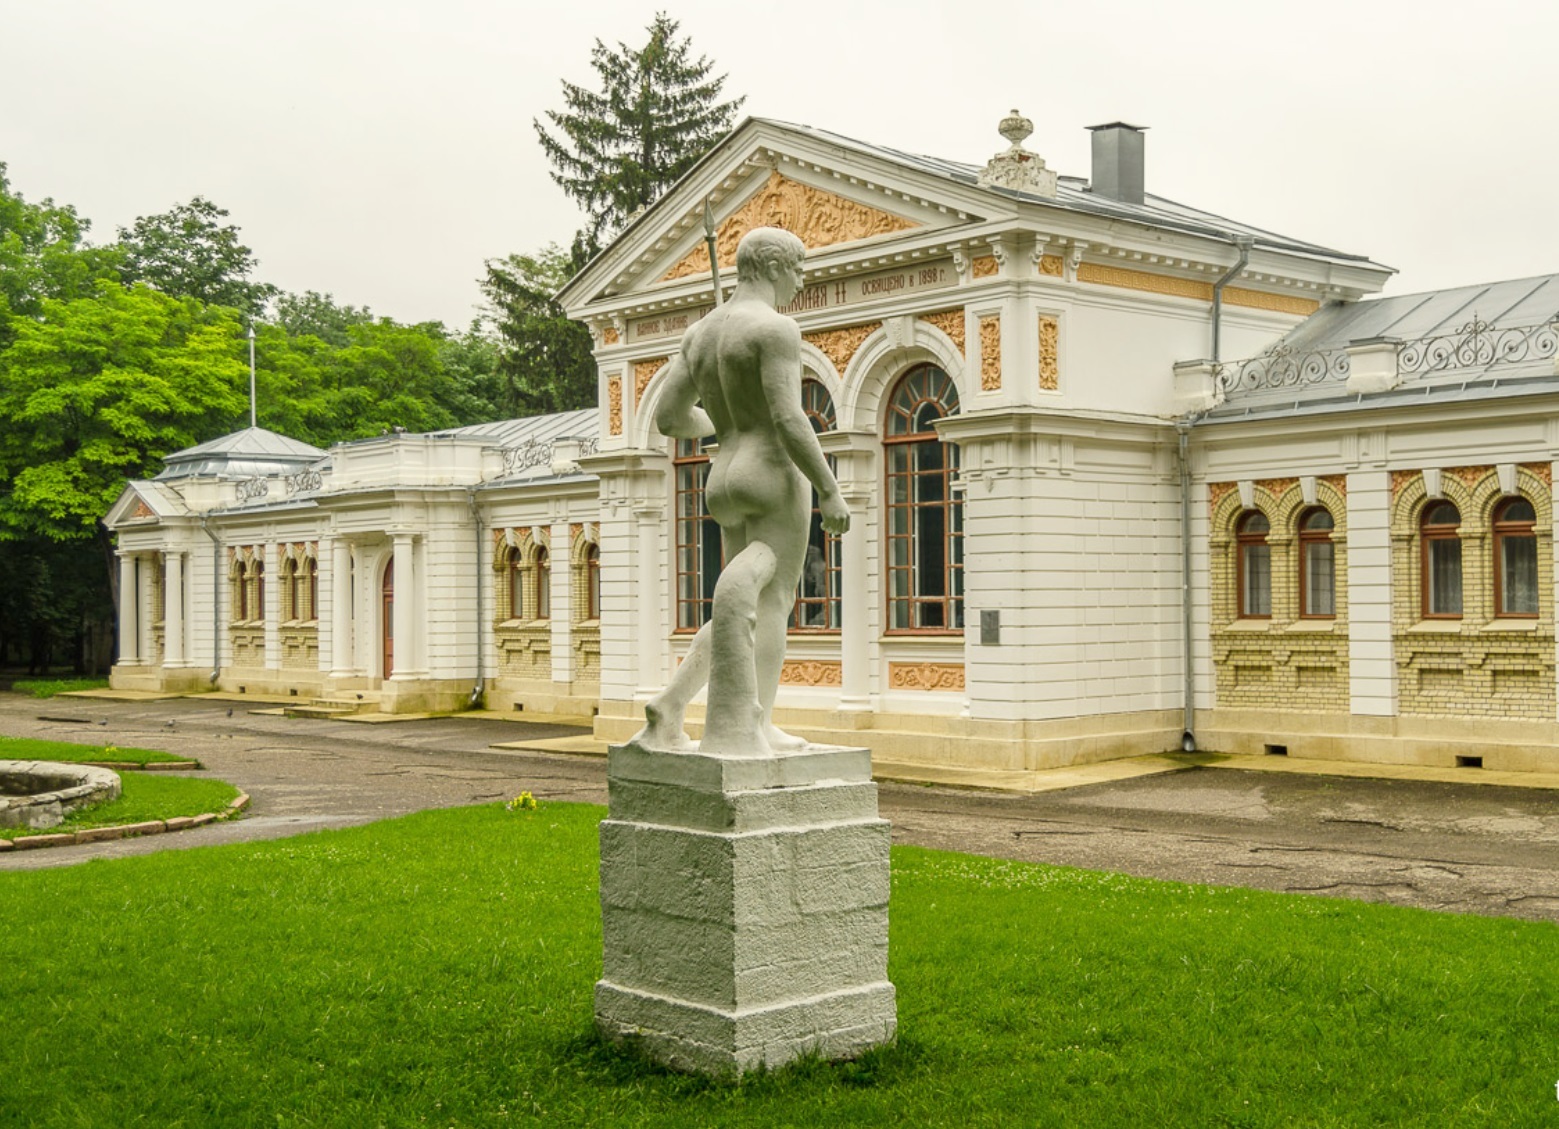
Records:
x=437, y=971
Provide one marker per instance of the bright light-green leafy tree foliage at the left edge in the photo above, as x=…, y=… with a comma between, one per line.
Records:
x=101, y=389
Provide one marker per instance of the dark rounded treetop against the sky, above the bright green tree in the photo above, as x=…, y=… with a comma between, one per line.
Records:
x=189, y=253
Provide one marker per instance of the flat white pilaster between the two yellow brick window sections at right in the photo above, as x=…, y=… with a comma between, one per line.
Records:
x=1373, y=668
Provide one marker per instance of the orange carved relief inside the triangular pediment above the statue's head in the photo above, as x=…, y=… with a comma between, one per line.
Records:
x=819, y=219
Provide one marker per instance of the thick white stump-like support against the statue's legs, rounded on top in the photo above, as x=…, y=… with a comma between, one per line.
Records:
x=735, y=717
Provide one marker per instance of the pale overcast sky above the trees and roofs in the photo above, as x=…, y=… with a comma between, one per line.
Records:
x=381, y=150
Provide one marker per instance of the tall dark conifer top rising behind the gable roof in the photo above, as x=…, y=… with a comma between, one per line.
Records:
x=621, y=147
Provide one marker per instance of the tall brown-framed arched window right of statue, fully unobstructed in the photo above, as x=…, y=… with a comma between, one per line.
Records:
x=925, y=522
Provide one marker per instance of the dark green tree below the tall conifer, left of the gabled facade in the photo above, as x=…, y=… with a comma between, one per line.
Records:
x=545, y=363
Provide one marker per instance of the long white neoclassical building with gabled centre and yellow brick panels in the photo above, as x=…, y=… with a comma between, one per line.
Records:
x=1125, y=476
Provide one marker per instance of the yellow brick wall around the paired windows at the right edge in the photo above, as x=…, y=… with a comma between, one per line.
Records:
x=1477, y=667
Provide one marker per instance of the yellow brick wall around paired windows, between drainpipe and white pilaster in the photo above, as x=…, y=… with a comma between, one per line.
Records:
x=1285, y=662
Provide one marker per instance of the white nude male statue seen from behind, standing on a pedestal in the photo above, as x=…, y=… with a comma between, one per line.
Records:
x=743, y=364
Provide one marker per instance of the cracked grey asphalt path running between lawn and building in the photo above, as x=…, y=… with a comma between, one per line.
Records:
x=1437, y=846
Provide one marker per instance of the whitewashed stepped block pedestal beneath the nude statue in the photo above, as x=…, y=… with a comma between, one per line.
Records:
x=744, y=907
